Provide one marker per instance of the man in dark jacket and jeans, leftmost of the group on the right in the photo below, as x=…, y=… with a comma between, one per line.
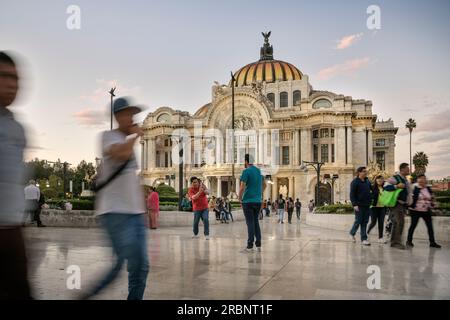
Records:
x=361, y=197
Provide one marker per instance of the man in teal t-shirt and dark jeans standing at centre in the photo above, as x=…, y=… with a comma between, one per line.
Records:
x=250, y=196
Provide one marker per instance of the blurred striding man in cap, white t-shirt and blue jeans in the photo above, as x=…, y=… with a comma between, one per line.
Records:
x=121, y=202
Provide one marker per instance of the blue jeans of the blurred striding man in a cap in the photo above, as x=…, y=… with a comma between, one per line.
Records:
x=127, y=233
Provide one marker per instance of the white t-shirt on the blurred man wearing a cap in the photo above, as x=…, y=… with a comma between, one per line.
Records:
x=123, y=194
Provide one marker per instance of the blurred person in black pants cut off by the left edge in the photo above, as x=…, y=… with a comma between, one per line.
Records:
x=13, y=262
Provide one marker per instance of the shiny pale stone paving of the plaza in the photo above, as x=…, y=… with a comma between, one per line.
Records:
x=297, y=262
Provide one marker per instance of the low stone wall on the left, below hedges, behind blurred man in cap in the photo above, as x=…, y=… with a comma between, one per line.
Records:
x=87, y=219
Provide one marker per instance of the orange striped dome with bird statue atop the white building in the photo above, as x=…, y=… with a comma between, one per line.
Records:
x=266, y=69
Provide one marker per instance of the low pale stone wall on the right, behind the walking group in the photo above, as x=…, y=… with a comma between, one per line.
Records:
x=343, y=222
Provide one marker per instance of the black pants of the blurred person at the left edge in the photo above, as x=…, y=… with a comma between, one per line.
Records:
x=13, y=267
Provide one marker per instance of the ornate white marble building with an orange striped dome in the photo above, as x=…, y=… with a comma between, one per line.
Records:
x=294, y=123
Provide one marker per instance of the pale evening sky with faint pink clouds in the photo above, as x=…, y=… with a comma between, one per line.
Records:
x=169, y=53
